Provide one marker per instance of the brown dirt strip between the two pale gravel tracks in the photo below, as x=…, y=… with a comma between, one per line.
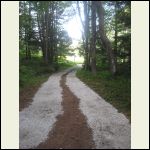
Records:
x=71, y=130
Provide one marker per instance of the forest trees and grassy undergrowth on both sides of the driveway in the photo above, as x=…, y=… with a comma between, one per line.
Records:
x=105, y=46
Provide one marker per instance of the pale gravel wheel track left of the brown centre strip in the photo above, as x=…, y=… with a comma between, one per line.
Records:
x=37, y=120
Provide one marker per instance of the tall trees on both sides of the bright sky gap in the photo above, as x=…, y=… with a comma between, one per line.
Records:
x=106, y=31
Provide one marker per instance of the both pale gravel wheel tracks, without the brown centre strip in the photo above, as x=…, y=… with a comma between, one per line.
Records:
x=109, y=129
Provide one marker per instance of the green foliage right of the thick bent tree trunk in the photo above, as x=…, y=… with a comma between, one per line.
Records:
x=118, y=27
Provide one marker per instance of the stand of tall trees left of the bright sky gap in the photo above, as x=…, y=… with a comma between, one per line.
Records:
x=40, y=29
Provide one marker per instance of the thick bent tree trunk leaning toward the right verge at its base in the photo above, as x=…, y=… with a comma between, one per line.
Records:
x=104, y=39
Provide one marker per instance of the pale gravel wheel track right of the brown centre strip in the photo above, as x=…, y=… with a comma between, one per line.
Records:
x=111, y=130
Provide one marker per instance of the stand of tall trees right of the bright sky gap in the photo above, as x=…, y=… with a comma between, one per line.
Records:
x=105, y=26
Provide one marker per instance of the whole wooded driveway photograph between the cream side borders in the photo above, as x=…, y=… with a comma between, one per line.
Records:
x=53, y=82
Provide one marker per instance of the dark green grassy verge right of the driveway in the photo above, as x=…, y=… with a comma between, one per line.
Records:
x=116, y=90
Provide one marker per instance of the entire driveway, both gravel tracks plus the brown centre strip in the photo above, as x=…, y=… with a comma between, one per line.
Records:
x=65, y=113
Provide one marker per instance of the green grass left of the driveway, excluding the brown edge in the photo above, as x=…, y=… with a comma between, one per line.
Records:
x=35, y=71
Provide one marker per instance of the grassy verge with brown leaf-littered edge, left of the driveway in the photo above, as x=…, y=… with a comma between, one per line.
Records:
x=32, y=74
